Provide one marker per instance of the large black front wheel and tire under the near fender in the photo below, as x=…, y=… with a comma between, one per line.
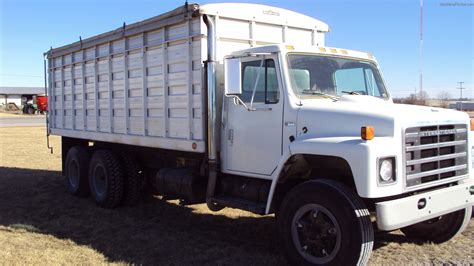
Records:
x=324, y=222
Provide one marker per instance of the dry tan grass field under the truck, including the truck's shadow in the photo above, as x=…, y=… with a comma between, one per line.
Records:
x=40, y=223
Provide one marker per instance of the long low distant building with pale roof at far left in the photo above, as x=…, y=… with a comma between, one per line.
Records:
x=18, y=96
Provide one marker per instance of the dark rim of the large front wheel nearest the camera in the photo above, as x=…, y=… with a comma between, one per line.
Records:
x=316, y=234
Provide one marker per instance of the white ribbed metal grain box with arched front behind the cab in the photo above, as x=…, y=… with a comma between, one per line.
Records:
x=150, y=85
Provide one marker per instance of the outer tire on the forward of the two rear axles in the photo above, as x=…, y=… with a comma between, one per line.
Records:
x=106, y=179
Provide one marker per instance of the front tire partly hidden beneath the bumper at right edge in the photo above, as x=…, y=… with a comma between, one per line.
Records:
x=440, y=229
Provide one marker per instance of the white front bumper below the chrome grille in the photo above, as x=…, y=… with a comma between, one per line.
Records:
x=395, y=214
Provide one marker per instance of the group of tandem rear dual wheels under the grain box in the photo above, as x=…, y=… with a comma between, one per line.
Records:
x=112, y=180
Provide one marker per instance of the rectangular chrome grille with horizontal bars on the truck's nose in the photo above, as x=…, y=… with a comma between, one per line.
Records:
x=434, y=153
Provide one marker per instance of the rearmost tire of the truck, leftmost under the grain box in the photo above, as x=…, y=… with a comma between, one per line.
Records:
x=76, y=171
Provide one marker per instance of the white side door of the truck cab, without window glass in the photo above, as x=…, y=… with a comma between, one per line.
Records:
x=251, y=140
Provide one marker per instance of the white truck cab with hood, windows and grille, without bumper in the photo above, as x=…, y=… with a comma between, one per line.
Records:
x=281, y=101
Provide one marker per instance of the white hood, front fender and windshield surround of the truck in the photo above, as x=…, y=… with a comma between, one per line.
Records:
x=334, y=130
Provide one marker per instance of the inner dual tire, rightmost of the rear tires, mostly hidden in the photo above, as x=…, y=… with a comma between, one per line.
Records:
x=134, y=181
